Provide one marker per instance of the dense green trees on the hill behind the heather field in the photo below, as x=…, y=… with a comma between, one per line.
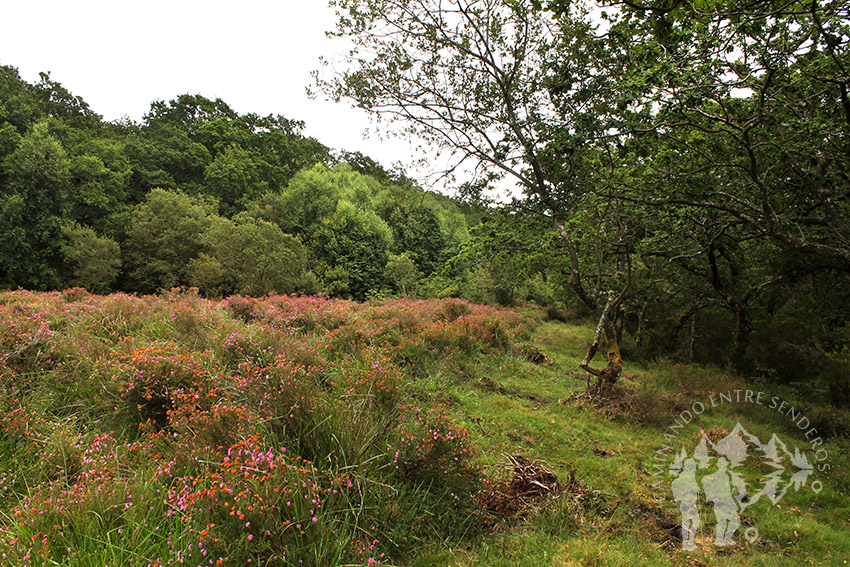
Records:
x=199, y=195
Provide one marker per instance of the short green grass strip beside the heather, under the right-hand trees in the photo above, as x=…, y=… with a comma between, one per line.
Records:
x=511, y=406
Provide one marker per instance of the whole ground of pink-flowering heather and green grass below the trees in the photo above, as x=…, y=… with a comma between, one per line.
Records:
x=172, y=430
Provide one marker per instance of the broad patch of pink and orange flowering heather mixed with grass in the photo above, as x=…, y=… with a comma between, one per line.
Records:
x=187, y=431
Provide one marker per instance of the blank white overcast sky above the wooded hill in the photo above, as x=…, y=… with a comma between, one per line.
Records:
x=256, y=55
